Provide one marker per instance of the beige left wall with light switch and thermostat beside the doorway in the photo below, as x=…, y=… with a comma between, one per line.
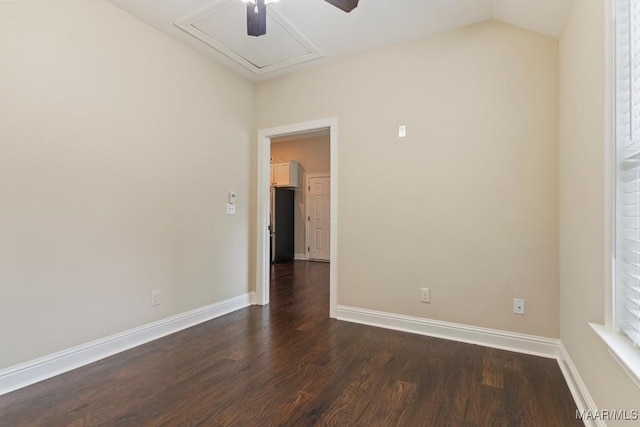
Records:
x=118, y=146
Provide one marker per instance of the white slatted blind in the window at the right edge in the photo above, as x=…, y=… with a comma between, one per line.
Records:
x=627, y=251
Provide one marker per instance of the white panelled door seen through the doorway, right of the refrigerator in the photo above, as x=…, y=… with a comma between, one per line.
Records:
x=318, y=208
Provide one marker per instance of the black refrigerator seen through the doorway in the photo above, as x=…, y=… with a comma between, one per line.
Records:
x=282, y=237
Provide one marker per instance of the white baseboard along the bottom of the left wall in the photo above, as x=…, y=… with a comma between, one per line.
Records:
x=37, y=370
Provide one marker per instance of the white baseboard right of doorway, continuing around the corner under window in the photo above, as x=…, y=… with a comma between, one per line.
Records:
x=504, y=340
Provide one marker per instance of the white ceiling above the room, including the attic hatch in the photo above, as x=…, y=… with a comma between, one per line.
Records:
x=322, y=28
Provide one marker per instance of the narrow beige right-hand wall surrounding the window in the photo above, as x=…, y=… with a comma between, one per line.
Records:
x=582, y=206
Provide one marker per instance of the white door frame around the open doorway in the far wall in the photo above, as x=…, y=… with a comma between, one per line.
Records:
x=262, y=205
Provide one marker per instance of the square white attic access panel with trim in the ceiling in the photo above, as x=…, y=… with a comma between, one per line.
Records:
x=223, y=26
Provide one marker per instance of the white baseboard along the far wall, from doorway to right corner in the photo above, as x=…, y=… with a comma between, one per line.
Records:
x=504, y=340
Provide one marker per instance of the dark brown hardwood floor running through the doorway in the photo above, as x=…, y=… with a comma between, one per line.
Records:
x=290, y=365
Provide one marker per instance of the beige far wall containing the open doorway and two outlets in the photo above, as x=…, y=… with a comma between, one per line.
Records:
x=467, y=204
